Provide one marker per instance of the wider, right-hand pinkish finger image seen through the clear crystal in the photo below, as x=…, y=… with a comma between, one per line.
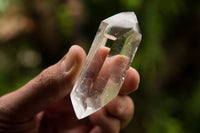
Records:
x=113, y=69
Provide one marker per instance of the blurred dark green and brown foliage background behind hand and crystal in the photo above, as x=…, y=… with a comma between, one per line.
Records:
x=37, y=33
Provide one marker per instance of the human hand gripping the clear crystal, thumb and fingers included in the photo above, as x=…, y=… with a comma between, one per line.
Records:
x=43, y=104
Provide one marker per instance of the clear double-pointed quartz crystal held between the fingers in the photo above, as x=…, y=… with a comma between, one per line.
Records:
x=107, y=63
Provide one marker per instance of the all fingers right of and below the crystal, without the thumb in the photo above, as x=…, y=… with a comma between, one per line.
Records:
x=120, y=109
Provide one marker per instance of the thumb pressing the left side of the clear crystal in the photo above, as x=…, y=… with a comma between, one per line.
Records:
x=50, y=86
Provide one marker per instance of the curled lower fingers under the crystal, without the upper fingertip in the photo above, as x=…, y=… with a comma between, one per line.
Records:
x=114, y=116
